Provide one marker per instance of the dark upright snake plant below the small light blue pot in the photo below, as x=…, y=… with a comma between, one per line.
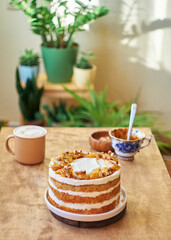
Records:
x=29, y=97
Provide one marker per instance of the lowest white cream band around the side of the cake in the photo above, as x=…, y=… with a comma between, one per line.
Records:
x=81, y=205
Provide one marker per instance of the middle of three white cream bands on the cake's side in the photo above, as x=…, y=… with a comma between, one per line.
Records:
x=82, y=194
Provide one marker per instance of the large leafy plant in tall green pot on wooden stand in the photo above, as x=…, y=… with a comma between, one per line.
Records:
x=57, y=22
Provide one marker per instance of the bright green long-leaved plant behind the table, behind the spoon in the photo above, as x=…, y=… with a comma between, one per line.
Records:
x=102, y=113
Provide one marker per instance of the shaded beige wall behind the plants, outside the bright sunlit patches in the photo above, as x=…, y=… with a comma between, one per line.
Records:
x=123, y=76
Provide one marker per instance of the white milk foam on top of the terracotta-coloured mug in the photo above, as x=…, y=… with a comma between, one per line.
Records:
x=30, y=131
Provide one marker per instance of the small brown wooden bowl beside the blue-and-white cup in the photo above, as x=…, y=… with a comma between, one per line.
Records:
x=99, y=145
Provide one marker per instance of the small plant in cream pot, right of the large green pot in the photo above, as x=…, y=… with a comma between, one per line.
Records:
x=84, y=71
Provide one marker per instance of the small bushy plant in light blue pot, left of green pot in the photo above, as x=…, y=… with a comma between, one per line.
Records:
x=29, y=65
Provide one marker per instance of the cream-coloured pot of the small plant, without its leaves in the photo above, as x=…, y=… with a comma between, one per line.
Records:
x=83, y=76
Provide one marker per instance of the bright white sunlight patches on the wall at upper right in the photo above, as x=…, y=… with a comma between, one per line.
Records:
x=149, y=45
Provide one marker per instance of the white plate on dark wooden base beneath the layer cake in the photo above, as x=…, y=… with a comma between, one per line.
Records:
x=90, y=221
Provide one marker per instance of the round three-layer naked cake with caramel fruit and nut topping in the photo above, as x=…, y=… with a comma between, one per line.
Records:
x=84, y=183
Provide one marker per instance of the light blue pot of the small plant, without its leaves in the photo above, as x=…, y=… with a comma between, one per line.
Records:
x=28, y=72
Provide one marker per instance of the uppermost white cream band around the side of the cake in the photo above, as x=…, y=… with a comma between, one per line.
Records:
x=77, y=182
